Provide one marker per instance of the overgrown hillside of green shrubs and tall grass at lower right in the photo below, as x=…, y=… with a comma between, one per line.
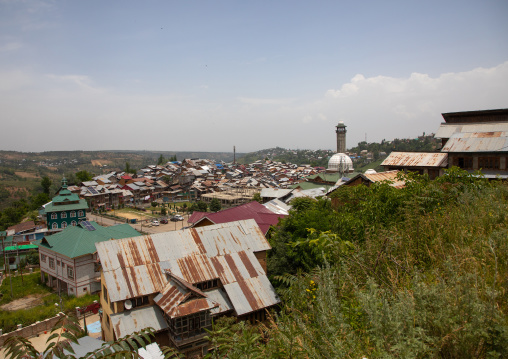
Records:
x=417, y=272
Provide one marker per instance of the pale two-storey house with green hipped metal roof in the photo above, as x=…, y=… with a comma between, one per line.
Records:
x=68, y=259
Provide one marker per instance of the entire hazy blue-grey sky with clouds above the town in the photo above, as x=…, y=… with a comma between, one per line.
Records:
x=208, y=75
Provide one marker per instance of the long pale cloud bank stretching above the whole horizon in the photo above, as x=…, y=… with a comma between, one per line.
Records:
x=84, y=114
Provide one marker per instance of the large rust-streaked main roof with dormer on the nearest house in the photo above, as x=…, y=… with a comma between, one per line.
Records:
x=139, y=266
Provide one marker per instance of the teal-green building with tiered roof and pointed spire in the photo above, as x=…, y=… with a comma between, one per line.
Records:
x=66, y=209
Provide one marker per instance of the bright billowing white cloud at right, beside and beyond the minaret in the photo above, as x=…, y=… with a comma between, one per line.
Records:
x=389, y=107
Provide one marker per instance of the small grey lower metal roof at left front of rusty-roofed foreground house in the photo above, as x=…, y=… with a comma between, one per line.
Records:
x=131, y=321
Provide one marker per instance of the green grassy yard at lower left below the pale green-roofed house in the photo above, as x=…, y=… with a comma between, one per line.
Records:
x=32, y=285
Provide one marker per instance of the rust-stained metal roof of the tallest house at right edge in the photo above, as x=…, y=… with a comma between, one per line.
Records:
x=496, y=141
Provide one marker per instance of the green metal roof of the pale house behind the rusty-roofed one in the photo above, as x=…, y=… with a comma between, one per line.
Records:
x=76, y=241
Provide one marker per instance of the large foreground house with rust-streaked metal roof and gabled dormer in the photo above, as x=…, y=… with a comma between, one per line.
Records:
x=176, y=282
